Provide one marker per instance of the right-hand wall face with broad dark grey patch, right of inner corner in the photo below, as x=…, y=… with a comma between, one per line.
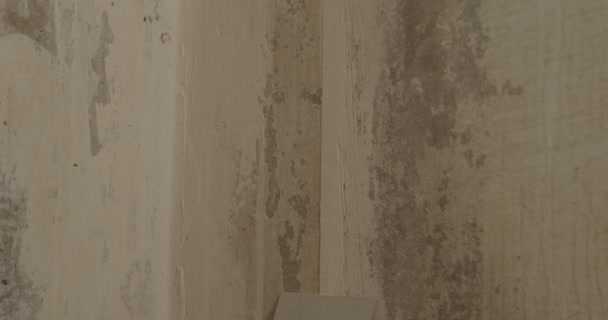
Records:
x=463, y=158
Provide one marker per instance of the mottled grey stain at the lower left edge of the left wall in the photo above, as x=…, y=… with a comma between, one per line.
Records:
x=20, y=298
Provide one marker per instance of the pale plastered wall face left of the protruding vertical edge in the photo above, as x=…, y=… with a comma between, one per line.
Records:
x=87, y=92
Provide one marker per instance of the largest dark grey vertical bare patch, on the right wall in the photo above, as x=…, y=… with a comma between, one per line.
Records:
x=430, y=66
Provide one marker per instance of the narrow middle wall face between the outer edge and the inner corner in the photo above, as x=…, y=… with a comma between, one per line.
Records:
x=251, y=136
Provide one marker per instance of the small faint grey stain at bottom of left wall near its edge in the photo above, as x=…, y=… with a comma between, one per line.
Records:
x=136, y=292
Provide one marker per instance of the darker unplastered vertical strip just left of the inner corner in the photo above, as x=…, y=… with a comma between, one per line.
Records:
x=292, y=109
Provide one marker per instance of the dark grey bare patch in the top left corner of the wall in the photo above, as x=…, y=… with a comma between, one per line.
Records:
x=32, y=18
